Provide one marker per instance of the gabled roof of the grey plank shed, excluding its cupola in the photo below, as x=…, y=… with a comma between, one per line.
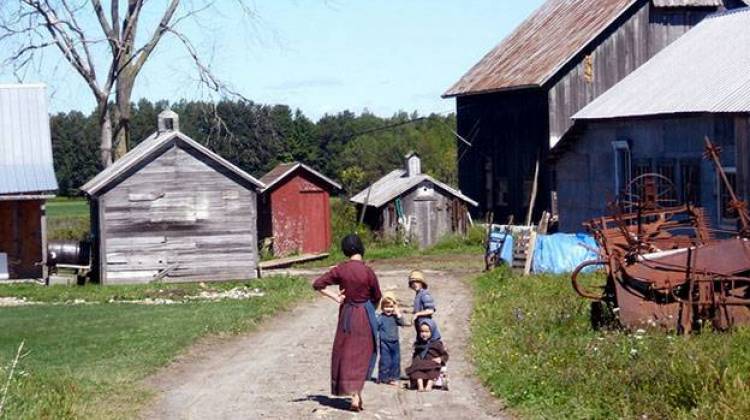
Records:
x=154, y=144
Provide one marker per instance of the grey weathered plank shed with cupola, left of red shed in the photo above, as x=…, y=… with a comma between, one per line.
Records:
x=172, y=210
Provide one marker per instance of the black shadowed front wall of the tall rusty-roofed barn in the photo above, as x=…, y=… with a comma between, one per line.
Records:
x=508, y=132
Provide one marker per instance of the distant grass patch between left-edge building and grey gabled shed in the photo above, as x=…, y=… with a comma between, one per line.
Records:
x=67, y=218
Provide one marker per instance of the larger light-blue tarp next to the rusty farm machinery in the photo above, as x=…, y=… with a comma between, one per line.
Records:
x=563, y=252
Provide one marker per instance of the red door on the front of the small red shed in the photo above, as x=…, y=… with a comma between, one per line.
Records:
x=315, y=217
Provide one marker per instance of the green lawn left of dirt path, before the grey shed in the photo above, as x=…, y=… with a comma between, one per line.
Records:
x=88, y=361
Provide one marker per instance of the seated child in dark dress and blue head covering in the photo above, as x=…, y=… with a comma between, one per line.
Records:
x=429, y=356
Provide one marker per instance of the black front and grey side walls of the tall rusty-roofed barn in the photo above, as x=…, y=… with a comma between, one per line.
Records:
x=509, y=130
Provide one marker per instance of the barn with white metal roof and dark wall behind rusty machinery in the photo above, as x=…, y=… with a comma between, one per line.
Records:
x=655, y=120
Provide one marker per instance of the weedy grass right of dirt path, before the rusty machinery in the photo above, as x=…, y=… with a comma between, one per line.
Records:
x=533, y=347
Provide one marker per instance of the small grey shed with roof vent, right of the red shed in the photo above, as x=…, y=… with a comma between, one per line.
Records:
x=408, y=201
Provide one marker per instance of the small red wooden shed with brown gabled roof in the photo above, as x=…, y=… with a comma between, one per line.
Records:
x=295, y=210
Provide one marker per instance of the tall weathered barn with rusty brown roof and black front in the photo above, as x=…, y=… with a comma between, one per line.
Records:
x=516, y=103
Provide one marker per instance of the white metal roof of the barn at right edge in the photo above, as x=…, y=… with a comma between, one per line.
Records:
x=707, y=70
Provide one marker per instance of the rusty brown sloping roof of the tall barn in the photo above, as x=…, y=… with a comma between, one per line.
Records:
x=541, y=45
